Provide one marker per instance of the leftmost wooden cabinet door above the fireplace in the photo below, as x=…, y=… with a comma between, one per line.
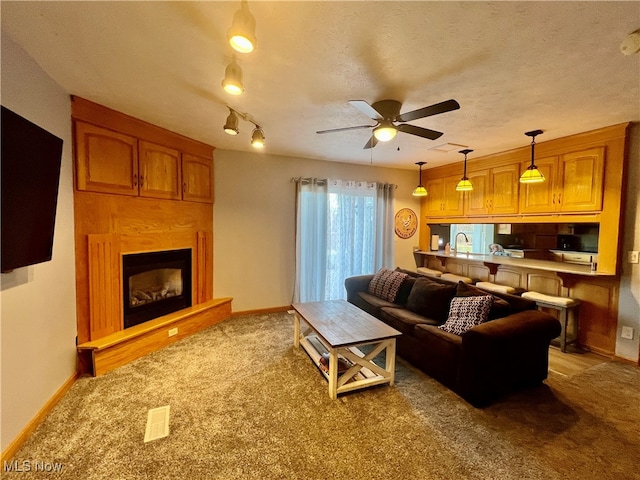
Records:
x=106, y=161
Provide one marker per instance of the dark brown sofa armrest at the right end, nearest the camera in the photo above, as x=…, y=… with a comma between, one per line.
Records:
x=505, y=353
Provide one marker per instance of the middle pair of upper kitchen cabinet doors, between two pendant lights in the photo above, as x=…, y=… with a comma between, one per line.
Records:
x=495, y=191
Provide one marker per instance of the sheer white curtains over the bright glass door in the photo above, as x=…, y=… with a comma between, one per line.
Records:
x=344, y=228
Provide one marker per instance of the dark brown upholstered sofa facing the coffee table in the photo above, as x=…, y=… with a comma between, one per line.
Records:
x=508, y=351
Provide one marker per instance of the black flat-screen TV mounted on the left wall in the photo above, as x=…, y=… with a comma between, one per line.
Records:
x=30, y=158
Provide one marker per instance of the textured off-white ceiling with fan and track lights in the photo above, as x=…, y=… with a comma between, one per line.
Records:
x=512, y=66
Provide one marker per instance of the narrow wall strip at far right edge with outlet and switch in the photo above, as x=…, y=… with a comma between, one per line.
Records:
x=629, y=304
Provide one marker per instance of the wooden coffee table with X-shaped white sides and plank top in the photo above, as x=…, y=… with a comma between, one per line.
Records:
x=340, y=328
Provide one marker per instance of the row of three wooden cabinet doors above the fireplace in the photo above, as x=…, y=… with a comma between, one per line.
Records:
x=111, y=162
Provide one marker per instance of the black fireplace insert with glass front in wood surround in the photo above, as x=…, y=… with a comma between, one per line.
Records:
x=155, y=284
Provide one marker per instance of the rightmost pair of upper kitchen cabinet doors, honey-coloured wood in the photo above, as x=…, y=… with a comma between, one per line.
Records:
x=573, y=183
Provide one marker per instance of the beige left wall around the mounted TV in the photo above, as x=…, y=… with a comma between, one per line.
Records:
x=38, y=302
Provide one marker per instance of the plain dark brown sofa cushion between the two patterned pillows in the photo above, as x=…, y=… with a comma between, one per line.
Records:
x=431, y=299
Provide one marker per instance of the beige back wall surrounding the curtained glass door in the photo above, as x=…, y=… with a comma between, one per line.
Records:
x=254, y=222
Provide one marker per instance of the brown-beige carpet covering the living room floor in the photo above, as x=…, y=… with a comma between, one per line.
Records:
x=246, y=405
